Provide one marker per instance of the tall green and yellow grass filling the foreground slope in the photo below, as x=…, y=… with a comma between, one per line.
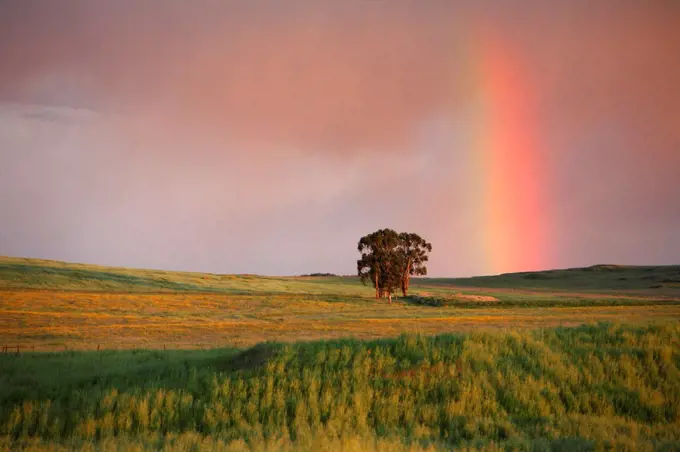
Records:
x=583, y=388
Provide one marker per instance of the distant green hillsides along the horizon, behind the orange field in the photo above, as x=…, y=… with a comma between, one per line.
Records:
x=20, y=273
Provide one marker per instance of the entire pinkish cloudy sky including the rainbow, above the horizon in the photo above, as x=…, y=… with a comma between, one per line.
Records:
x=267, y=137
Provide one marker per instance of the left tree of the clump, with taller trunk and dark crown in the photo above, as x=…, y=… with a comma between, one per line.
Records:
x=380, y=262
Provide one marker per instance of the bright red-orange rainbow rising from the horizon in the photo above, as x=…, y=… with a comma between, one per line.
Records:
x=511, y=195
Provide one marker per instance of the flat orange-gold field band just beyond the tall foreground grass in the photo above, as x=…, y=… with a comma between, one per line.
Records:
x=81, y=320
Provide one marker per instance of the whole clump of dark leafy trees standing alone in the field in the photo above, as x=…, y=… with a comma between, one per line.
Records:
x=389, y=259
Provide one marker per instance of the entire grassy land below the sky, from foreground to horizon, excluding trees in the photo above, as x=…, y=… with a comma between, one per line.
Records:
x=565, y=359
